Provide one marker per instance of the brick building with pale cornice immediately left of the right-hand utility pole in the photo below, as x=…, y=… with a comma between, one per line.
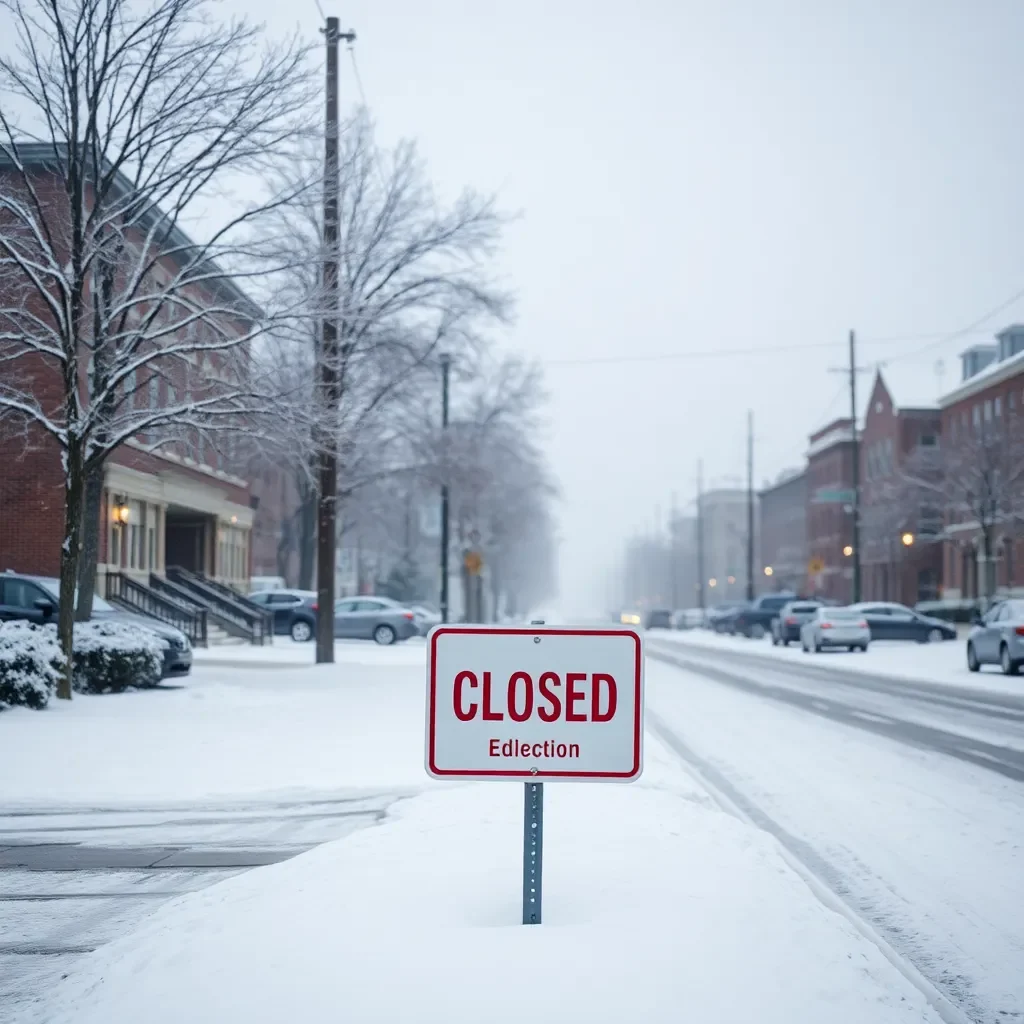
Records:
x=830, y=511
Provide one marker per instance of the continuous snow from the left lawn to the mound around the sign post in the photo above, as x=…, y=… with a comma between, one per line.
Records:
x=659, y=906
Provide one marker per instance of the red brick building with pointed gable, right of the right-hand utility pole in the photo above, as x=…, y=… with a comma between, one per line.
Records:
x=902, y=553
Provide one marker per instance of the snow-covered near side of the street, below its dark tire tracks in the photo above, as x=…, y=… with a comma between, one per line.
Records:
x=927, y=847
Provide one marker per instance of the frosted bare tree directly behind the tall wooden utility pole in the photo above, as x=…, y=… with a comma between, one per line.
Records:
x=413, y=276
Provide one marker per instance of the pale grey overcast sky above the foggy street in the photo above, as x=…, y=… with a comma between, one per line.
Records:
x=746, y=180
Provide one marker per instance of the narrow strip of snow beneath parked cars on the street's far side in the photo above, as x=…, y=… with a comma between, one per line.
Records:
x=943, y=664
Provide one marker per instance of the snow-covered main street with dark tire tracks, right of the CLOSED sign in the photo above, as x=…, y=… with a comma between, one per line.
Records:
x=908, y=804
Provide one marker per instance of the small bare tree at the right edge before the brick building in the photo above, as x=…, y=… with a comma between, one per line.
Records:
x=975, y=483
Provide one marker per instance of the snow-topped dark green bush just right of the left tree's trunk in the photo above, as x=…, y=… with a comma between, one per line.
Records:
x=111, y=657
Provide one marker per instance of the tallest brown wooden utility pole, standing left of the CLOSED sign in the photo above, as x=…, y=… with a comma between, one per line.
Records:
x=327, y=366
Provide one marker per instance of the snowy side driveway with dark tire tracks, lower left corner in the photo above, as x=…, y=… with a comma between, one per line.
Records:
x=71, y=882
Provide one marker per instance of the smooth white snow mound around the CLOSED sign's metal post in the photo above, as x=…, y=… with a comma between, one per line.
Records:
x=658, y=909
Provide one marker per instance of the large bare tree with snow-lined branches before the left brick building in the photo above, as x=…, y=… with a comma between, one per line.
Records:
x=138, y=120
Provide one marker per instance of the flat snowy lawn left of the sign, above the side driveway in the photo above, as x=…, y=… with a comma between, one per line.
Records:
x=228, y=734
